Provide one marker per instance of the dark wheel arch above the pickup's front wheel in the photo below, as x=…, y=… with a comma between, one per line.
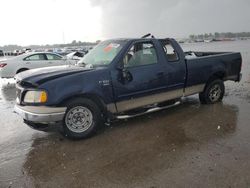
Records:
x=101, y=104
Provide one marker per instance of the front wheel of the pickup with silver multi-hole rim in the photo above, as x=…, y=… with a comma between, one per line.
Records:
x=82, y=118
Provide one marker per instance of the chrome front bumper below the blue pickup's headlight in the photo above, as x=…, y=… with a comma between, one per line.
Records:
x=40, y=114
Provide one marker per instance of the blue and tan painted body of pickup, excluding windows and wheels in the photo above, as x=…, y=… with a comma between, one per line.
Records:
x=150, y=84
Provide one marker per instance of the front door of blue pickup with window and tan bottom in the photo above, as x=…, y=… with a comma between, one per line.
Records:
x=141, y=79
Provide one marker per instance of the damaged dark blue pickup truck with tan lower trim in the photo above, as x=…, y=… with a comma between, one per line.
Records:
x=121, y=78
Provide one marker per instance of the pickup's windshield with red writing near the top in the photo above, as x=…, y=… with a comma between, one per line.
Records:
x=103, y=54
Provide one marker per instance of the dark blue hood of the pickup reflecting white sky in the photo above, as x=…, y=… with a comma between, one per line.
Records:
x=39, y=76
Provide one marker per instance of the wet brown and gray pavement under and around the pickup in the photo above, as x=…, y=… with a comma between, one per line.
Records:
x=190, y=145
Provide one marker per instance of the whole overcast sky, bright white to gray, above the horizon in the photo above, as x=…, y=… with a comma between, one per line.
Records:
x=27, y=22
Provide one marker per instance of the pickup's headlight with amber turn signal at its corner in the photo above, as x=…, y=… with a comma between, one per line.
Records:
x=35, y=97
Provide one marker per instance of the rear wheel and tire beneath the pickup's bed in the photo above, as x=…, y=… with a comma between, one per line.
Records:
x=213, y=92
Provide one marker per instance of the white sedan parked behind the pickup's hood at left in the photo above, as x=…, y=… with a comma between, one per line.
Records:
x=10, y=67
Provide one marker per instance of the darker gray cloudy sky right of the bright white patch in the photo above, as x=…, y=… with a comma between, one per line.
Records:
x=173, y=17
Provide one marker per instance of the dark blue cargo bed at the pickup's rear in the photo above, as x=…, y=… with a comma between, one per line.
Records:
x=201, y=65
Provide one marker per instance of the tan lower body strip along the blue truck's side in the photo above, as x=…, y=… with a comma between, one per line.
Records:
x=156, y=98
